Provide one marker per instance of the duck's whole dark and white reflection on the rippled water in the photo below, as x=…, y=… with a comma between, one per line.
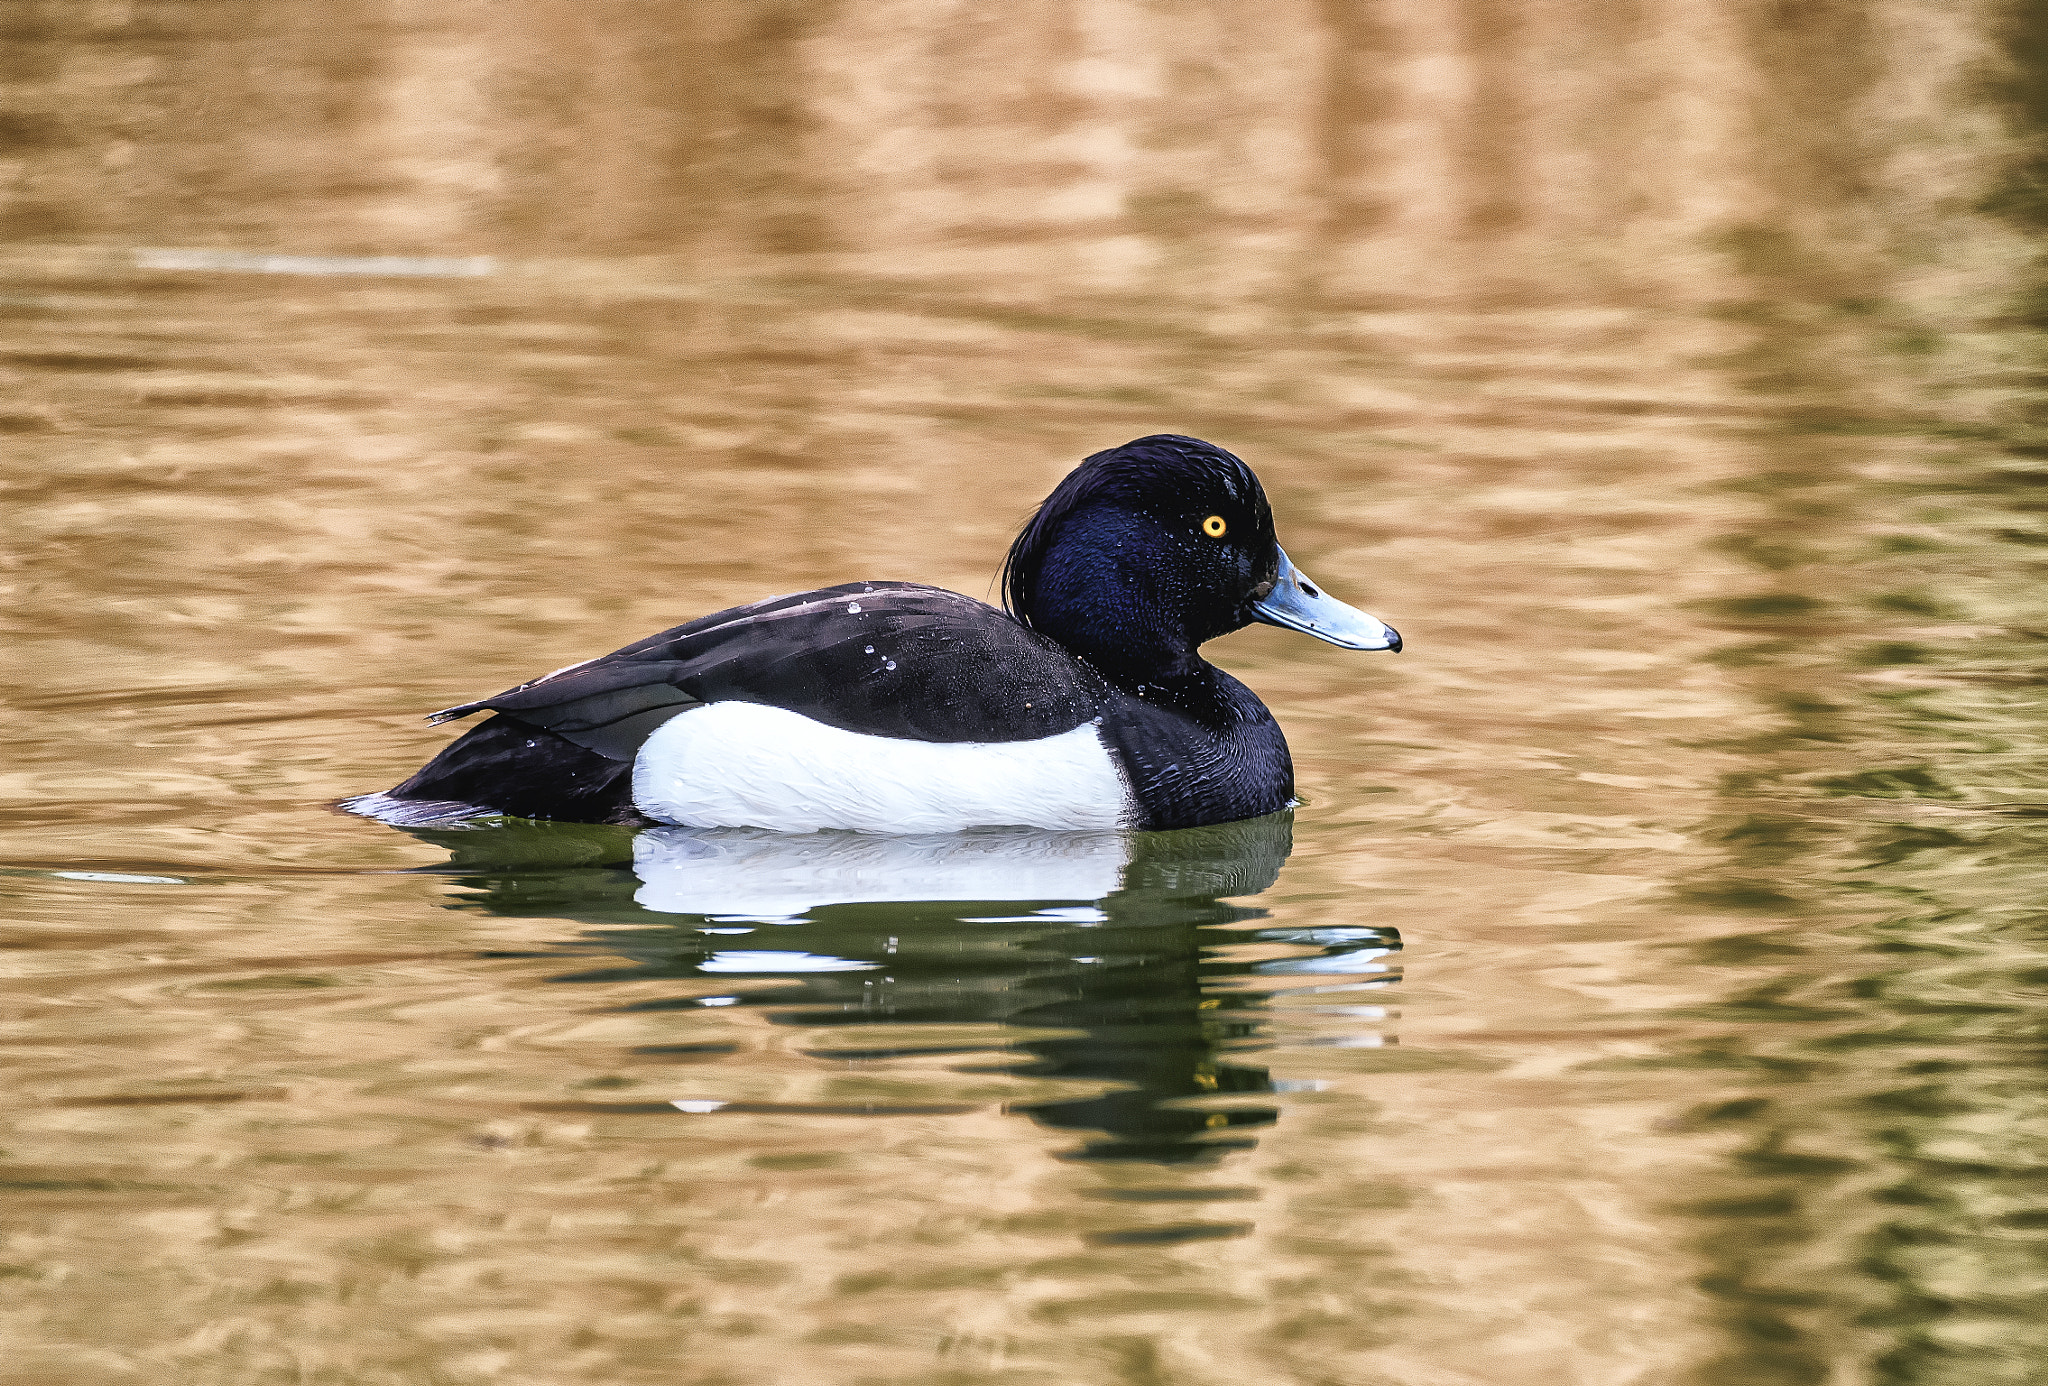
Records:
x=1121, y=945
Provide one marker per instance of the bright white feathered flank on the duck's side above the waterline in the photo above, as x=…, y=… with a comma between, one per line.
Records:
x=740, y=765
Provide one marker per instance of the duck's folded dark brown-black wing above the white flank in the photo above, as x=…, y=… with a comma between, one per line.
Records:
x=888, y=660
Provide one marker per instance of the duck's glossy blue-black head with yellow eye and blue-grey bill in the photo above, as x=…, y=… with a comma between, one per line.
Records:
x=1150, y=550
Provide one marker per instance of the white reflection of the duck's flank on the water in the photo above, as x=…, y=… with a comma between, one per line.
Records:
x=783, y=875
